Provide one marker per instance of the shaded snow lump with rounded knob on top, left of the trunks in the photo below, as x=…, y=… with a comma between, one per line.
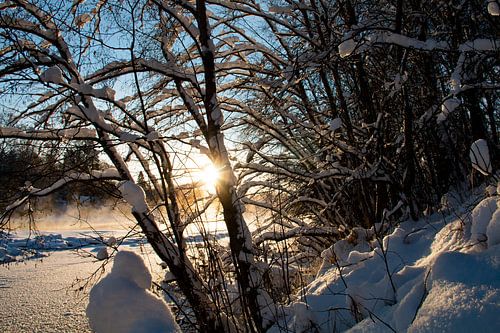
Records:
x=121, y=302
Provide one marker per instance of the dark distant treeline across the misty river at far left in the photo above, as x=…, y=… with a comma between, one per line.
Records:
x=24, y=167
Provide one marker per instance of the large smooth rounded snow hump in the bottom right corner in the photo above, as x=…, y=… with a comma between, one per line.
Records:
x=464, y=294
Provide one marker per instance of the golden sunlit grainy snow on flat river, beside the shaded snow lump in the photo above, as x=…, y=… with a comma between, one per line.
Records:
x=37, y=295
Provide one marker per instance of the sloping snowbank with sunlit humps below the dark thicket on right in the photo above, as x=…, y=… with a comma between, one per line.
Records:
x=438, y=275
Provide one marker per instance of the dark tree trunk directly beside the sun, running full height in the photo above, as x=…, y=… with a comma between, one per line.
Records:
x=240, y=240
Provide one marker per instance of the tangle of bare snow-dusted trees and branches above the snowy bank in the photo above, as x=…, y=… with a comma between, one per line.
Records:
x=329, y=115
